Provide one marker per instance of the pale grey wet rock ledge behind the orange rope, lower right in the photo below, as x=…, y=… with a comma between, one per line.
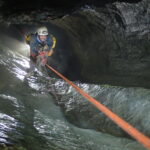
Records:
x=131, y=104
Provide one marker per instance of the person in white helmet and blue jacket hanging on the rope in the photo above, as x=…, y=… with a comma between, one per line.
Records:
x=41, y=47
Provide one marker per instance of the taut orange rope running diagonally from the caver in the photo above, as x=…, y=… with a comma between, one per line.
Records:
x=141, y=138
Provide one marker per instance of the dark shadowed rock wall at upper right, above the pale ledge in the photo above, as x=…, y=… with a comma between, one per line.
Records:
x=112, y=43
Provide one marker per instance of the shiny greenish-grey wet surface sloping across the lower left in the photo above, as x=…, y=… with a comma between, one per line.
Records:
x=30, y=119
